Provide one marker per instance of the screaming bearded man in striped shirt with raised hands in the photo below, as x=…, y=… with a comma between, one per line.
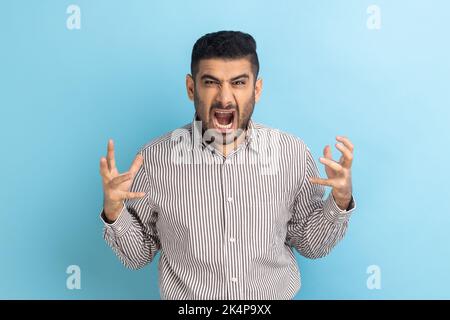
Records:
x=225, y=200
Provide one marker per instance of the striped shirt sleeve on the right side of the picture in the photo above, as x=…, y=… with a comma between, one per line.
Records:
x=316, y=225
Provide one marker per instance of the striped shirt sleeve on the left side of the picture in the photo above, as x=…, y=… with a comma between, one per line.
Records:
x=133, y=236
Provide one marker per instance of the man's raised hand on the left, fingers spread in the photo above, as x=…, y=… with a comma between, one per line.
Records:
x=116, y=187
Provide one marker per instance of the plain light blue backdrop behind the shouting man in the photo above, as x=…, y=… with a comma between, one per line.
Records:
x=63, y=93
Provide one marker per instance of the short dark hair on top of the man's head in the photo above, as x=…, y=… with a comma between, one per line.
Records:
x=226, y=45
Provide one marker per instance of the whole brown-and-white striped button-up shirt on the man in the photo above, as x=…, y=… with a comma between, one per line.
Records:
x=226, y=227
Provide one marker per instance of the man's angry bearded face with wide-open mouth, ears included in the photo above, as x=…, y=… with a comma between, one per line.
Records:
x=224, y=94
